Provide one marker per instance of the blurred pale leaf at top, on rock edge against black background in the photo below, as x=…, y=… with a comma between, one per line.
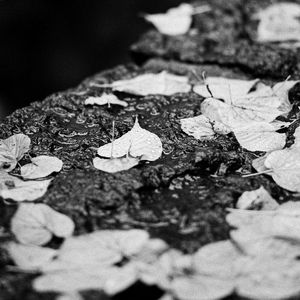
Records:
x=175, y=21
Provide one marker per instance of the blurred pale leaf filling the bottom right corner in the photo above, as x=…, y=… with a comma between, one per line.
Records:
x=263, y=278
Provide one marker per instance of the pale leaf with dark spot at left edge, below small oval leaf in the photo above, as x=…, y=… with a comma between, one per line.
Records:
x=16, y=189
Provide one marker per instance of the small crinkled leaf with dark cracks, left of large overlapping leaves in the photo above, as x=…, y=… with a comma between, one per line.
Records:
x=201, y=127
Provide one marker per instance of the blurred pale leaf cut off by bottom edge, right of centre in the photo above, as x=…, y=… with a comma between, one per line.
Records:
x=201, y=288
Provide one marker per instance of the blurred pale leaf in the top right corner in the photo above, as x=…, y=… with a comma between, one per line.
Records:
x=279, y=23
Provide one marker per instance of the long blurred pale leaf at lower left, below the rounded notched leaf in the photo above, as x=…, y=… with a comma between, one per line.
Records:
x=98, y=249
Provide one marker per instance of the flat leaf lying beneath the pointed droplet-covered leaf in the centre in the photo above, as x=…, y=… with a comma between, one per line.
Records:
x=113, y=165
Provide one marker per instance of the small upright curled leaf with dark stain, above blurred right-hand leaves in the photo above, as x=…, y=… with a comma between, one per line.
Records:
x=258, y=199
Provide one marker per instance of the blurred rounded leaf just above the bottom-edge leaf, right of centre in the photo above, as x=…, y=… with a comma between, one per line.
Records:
x=217, y=260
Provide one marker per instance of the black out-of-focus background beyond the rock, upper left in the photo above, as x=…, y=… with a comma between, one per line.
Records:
x=51, y=45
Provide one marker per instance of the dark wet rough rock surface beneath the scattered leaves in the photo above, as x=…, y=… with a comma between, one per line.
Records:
x=183, y=196
